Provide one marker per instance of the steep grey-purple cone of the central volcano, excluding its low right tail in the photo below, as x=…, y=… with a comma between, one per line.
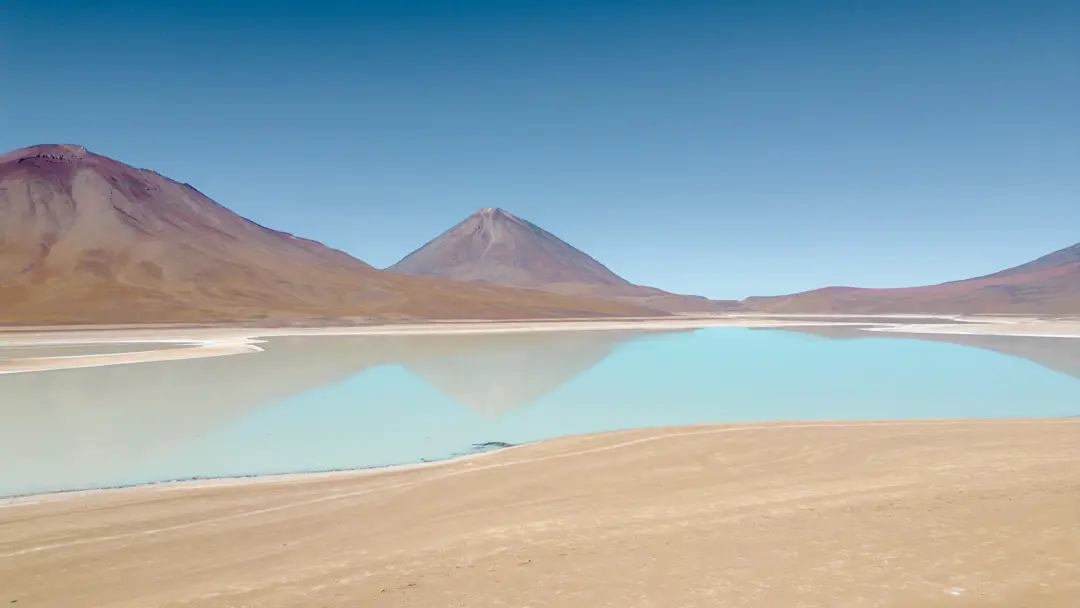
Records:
x=495, y=247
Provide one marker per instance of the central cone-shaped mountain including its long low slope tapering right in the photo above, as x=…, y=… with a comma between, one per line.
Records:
x=494, y=247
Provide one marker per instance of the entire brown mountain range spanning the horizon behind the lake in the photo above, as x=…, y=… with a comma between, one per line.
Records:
x=87, y=239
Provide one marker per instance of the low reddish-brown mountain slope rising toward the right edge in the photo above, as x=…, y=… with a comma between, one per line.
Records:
x=1049, y=286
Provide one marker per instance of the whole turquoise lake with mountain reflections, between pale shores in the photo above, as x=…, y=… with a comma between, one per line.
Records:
x=329, y=403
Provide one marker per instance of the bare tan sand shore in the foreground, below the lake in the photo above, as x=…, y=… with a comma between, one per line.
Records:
x=902, y=515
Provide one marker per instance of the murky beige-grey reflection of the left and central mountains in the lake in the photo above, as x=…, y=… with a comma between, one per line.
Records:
x=76, y=428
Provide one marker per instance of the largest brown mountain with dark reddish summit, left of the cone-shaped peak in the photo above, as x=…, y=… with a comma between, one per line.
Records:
x=88, y=239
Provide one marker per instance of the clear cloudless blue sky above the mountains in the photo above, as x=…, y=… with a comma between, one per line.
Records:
x=719, y=148
